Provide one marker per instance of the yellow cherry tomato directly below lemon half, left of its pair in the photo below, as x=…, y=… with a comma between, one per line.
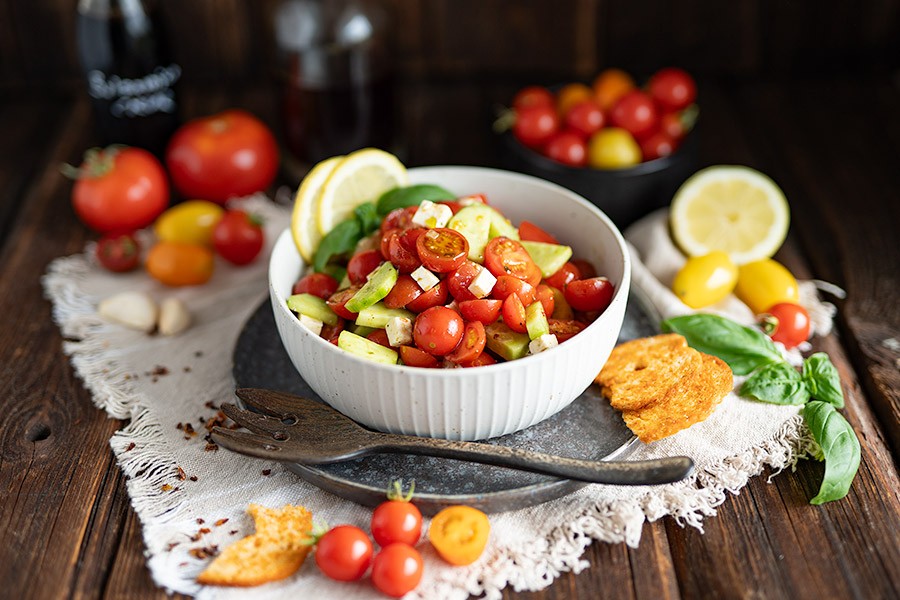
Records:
x=705, y=280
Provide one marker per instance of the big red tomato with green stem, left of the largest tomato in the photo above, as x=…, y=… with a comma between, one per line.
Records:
x=119, y=189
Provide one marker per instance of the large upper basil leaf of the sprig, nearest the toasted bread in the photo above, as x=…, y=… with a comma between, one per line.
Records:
x=744, y=349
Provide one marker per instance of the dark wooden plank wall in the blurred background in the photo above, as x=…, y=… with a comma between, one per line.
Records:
x=231, y=41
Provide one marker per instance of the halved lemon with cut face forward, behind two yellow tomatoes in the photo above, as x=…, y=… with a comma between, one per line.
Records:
x=734, y=209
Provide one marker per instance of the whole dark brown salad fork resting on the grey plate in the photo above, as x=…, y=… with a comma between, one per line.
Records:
x=289, y=428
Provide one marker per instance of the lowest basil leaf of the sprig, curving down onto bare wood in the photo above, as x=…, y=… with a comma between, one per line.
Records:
x=840, y=447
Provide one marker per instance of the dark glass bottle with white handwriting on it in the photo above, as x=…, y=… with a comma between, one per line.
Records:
x=130, y=77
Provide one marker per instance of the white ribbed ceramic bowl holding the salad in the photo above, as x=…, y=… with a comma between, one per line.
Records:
x=482, y=402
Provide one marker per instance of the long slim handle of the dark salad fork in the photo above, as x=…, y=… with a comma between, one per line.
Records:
x=645, y=472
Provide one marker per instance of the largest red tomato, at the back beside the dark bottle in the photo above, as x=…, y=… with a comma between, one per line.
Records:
x=216, y=158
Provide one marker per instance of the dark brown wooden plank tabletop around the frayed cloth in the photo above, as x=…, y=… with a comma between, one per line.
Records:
x=66, y=525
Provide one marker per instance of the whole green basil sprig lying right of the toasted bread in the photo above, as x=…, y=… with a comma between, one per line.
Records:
x=772, y=379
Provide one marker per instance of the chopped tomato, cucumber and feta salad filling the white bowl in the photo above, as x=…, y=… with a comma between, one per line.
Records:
x=450, y=283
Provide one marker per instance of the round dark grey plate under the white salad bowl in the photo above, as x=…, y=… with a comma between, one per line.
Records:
x=588, y=428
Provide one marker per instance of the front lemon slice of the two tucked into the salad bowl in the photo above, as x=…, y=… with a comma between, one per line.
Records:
x=359, y=177
